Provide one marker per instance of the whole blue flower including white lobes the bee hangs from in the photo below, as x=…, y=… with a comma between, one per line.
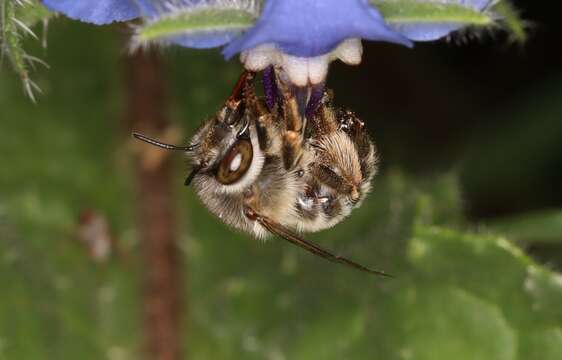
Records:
x=300, y=36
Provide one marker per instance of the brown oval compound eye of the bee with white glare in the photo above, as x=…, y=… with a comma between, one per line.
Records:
x=236, y=162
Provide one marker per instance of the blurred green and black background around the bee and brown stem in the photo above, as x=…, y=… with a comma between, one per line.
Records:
x=466, y=212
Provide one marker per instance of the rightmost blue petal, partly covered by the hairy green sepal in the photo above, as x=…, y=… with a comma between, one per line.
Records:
x=429, y=32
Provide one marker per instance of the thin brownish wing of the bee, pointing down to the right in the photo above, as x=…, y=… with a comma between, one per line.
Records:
x=294, y=239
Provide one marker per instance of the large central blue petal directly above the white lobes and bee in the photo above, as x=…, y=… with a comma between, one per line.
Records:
x=308, y=28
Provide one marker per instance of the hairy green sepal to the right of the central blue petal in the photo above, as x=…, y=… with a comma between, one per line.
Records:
x=403, y=12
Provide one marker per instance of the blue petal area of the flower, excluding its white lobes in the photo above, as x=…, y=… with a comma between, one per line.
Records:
x=303, y=28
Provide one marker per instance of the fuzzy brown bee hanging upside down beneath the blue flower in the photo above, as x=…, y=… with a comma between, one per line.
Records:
x=266, y=169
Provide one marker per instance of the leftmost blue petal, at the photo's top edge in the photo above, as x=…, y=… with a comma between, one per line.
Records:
x=95, y=11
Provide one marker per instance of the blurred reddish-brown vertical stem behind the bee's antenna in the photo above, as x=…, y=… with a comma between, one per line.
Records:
x=146, y=111
